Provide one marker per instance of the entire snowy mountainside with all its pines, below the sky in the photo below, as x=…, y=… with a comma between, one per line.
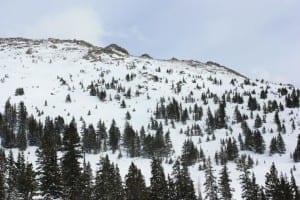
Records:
x=79, y=121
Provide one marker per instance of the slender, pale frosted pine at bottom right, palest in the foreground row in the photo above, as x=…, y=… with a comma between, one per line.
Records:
x=210, y=183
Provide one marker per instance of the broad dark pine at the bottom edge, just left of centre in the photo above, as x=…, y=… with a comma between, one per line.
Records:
x=135, y=187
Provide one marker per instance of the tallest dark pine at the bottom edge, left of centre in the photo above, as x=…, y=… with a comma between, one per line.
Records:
x=71, y=170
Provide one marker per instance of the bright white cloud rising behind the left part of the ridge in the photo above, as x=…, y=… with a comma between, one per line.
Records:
x=76, y=23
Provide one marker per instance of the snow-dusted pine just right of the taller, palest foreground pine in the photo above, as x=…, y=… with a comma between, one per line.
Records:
x=225, y=190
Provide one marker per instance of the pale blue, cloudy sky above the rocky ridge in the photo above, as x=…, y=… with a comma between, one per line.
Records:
x=260, y=39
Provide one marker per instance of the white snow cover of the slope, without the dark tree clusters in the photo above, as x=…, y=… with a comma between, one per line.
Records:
x=41, y=67
